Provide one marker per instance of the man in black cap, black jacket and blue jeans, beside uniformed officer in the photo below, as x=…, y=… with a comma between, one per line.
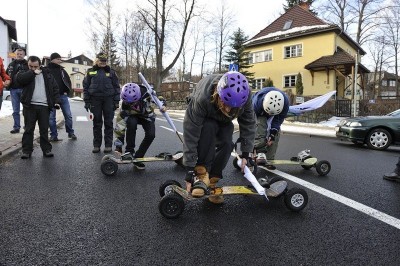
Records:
x=64, y=86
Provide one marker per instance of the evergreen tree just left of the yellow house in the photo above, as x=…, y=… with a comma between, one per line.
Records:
x=237, y=55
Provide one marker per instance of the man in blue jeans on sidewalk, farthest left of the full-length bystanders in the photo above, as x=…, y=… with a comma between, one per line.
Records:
x=19, y=64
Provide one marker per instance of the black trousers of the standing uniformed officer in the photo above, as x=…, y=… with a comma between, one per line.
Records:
x=102, y=107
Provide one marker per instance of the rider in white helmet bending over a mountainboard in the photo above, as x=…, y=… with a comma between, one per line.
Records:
x=271, y=106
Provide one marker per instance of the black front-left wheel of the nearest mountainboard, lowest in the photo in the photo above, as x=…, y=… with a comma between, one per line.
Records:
x=171, y=206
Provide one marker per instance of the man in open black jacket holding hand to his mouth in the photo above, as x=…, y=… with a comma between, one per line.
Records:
x=39, y=96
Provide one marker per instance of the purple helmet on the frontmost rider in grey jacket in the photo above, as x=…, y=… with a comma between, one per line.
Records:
x=233, y=89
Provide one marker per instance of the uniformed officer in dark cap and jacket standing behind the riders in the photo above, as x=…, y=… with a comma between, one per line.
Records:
x=101, y=93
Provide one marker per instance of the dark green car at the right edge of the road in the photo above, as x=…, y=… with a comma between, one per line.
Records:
x=378, y=132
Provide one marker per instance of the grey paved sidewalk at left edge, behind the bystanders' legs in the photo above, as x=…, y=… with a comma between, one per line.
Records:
x=12, y=143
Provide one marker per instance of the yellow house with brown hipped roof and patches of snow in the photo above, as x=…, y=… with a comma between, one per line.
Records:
x=299, y=42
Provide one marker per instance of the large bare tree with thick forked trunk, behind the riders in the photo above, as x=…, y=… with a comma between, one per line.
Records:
x=158, y=18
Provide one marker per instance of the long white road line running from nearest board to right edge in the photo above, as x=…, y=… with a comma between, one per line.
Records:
x=390, y=220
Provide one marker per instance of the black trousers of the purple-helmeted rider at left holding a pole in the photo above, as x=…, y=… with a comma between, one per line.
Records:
x=149, y=134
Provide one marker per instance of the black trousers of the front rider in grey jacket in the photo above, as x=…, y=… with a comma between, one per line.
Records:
x=215, y=146
